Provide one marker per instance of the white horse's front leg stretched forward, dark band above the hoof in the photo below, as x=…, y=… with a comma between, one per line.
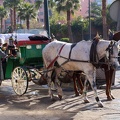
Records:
x=92, y=79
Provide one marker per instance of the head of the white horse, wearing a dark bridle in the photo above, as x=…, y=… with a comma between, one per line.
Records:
x=113, y=50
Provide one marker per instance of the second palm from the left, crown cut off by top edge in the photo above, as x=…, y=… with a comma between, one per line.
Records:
x=12, y=5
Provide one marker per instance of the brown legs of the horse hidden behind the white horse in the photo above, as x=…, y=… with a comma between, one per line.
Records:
x=109, y=72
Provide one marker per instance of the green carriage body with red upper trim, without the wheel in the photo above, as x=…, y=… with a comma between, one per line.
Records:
x=29, y=54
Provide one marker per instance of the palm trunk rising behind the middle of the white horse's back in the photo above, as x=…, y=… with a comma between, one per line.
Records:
x=69, y=26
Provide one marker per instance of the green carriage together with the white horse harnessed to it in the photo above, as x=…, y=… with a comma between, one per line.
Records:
x=26, y=64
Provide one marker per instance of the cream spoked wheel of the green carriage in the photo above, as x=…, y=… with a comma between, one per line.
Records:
x=19, y=81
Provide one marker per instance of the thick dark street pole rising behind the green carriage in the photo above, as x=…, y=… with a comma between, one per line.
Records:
x=46, y=17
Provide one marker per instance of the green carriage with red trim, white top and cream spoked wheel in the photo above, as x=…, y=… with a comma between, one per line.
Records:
x=25, y=64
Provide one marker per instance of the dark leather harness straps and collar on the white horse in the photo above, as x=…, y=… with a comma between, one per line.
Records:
x=93, y=55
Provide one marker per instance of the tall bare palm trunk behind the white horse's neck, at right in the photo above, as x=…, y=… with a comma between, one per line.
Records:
x=104, y=19
